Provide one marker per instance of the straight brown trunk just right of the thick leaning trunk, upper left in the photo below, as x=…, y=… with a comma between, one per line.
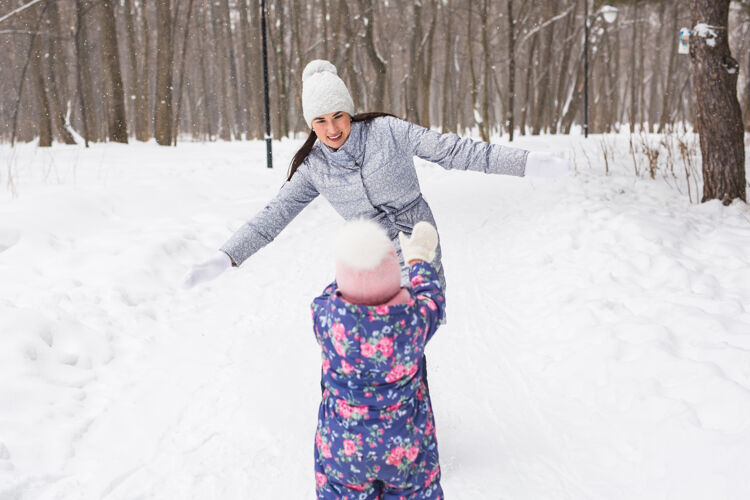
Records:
x=163, y=112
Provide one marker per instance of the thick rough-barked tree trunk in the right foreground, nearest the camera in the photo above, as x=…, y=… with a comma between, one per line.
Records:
x=719, y=120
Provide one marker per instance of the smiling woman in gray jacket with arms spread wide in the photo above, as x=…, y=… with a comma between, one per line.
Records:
x=363, y=164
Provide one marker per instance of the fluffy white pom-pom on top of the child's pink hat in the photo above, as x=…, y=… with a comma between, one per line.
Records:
x=362, y=244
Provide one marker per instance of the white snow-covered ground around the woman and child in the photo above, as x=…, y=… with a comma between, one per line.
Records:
x=598, y=343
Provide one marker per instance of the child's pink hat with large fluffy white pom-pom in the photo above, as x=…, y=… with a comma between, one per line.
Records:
x=367, y=267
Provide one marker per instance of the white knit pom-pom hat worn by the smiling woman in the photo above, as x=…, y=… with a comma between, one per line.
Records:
x=323, y=91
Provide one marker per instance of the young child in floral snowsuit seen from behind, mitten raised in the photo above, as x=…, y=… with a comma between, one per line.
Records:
x=376, y=432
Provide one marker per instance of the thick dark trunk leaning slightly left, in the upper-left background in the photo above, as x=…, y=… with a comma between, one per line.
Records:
x=117, y=125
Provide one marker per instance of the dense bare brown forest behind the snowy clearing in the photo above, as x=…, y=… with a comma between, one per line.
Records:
x=138, y=69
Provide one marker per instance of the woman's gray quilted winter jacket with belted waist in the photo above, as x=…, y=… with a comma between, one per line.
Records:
x=372, y=175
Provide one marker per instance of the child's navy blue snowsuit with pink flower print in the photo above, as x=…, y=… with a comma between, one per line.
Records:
x=376, y=431
